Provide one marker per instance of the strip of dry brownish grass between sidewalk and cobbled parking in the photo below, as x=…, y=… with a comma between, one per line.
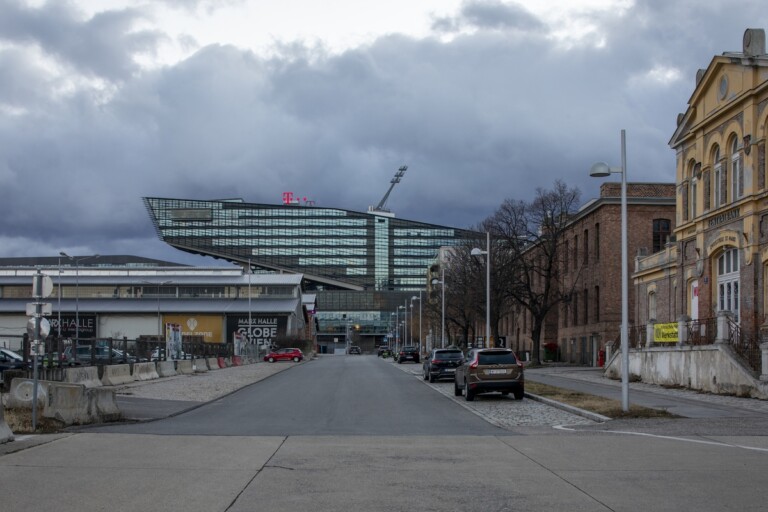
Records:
x=592, y=403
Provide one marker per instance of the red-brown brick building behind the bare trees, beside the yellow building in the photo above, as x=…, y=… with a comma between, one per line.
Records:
x=590, y=269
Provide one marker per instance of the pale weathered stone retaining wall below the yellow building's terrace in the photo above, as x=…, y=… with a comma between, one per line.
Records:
x=710, y=368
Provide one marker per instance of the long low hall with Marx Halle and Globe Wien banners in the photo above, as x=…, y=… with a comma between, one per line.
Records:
x=127, y=297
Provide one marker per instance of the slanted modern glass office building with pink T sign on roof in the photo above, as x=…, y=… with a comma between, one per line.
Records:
x=362, y=265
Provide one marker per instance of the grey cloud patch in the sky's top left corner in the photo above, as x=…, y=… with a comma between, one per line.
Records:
x=101, y=46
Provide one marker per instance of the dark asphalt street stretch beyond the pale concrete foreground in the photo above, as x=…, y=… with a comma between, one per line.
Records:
x=359, y=395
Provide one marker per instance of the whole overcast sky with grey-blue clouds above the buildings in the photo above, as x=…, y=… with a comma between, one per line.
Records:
x=103, y=102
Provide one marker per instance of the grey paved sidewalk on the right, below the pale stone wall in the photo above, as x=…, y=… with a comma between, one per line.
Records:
x=681, y=402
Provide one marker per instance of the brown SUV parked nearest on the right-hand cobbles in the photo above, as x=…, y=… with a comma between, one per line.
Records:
x=489, y=369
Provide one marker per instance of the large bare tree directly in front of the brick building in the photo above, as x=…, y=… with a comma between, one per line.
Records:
x=530, y=236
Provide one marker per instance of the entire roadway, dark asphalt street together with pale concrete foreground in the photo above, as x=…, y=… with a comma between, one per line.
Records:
x=296, y=442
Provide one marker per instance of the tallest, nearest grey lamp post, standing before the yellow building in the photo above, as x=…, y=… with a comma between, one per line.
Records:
x=601, y=170
